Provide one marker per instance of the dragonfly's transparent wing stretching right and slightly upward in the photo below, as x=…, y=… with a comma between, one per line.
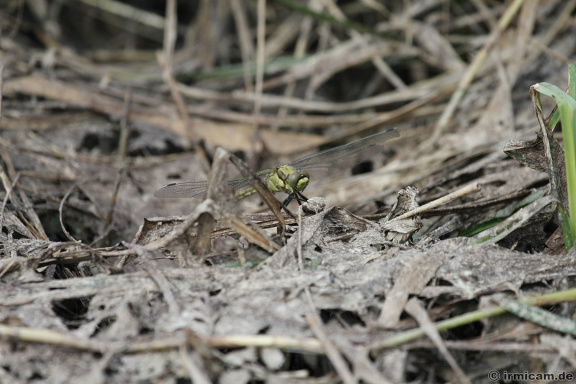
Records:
x=347, y=155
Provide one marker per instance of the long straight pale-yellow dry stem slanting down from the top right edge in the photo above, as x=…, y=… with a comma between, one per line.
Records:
x=472, y=70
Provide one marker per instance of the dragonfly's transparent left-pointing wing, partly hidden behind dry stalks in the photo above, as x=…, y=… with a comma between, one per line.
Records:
x=240, y=186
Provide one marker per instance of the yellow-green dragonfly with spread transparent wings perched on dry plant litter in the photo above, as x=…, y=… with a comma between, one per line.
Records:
x=294, y=177
